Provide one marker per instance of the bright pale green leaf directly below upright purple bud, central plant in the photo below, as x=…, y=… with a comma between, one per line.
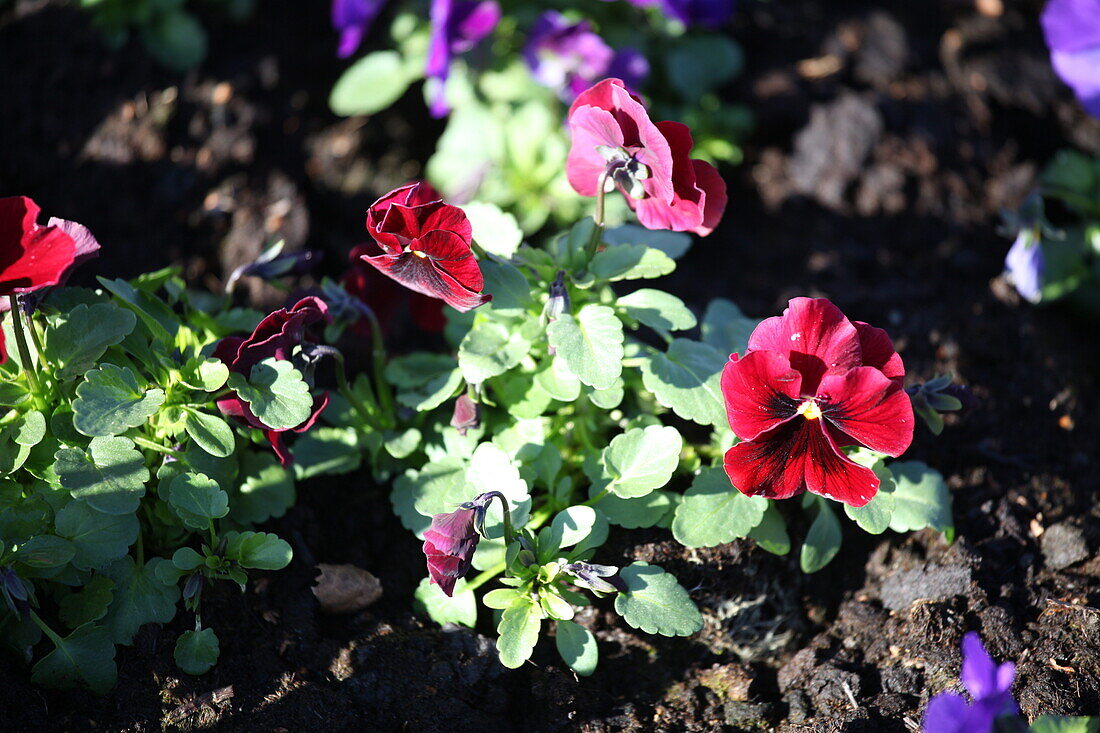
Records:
x=591, y=345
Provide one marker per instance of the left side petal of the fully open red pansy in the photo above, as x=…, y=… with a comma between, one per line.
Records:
x=762, y=391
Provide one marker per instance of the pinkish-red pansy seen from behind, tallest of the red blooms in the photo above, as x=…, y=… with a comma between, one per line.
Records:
x=650, y=163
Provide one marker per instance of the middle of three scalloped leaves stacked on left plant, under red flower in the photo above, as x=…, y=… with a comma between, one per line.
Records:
x=111, y=401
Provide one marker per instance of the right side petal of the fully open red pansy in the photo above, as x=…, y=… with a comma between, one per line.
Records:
x=871, y=408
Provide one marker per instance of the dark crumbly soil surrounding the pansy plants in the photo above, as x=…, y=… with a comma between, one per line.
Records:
x=889, y=138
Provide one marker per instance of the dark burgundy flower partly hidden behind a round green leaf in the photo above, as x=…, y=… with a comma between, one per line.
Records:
x=274, y=338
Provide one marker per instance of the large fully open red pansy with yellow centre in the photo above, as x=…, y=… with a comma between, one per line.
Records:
x=810, y=384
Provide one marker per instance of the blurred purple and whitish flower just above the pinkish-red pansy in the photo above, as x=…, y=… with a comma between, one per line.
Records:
x=570, y=58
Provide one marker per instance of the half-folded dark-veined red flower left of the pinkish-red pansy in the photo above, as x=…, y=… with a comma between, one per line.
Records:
x=426, y=246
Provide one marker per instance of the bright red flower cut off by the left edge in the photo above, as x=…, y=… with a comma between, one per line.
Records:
x=31, y=257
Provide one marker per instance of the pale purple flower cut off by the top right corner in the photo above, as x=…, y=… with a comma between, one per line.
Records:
x=1073, y=35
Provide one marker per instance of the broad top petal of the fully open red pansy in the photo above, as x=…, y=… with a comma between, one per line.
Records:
x=816, y=335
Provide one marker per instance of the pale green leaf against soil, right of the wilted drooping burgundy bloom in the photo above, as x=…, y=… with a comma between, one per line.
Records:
x=656, y=604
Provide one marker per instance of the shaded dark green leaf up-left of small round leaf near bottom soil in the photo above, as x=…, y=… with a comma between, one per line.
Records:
x=140, y=598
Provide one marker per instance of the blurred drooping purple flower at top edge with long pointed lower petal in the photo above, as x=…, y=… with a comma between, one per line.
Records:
x=457, y=27
